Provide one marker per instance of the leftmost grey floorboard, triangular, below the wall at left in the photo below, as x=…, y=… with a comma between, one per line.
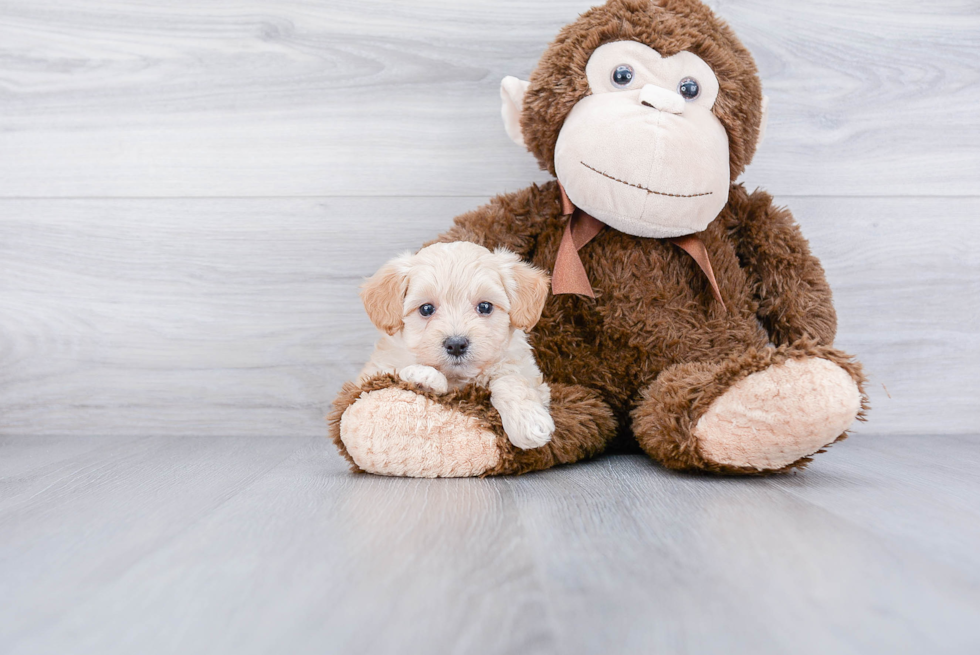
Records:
x=112, y=506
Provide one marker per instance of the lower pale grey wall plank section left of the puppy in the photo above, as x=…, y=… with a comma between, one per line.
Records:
x=216, y=316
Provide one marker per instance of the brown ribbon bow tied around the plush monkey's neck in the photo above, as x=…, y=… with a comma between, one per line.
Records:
x=569, y=274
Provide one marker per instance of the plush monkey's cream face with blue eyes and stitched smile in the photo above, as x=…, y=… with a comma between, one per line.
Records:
x=644, y=153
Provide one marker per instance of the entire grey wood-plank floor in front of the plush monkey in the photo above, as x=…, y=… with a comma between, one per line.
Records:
x=268, y=545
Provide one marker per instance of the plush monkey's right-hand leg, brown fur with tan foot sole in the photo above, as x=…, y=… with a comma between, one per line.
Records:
x=761, y=411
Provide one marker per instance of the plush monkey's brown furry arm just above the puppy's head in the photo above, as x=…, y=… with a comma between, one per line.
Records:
x=511, y=221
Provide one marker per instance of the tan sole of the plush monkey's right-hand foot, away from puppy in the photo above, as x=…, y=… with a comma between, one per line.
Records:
x=775, y=417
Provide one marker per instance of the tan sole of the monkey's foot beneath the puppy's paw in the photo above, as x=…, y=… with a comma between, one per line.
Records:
x=398, y=432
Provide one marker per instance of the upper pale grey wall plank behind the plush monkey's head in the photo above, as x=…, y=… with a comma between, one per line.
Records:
x=375, y=97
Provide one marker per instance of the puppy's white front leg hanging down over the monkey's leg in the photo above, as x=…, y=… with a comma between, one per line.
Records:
x=526, y=419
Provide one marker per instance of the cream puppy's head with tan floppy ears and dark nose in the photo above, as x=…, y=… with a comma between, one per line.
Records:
x=456, y=304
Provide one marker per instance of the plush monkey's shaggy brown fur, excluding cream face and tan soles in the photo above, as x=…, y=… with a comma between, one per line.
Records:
x=653, y=350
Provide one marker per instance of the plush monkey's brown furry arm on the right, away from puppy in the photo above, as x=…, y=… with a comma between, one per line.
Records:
x=794, y=298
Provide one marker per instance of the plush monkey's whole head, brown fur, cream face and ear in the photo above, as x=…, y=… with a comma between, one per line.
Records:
x=644, y=142
